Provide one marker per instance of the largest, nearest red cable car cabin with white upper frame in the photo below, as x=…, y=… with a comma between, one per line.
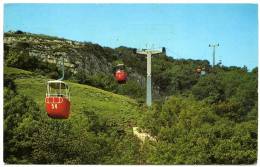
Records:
x=57, y=101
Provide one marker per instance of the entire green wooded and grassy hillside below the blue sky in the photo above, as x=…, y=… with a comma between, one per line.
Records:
x=194, y=119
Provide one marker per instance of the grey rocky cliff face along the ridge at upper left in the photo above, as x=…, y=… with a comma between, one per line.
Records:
x=77, y=56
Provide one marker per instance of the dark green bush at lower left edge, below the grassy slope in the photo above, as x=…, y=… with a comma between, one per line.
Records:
x=21, y=115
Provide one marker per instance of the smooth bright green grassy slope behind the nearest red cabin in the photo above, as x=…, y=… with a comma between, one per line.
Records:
x=115, y=108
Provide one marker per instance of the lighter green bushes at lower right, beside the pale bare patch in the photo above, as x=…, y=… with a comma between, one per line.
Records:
x=191, y=132
